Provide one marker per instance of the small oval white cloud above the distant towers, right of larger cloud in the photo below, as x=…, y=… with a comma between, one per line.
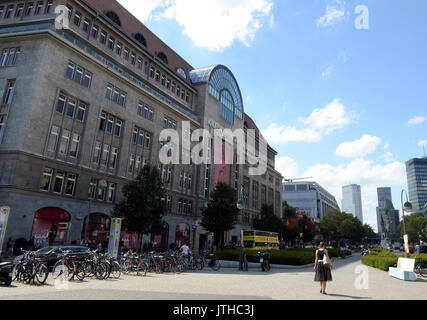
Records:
x=366, y=145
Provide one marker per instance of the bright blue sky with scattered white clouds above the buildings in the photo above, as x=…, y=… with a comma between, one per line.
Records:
x=341, y=104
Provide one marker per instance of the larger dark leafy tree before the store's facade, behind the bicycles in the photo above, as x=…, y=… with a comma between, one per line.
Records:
x=142, y=207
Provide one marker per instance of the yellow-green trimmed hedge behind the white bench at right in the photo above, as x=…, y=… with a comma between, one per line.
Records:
x=383, y=259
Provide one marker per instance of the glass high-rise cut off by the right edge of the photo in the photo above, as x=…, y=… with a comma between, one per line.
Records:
x=416, y=173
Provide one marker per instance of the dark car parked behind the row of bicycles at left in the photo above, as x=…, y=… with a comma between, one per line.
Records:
x=53, y=254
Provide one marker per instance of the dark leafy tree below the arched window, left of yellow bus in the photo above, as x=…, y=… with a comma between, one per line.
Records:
x=221, y=213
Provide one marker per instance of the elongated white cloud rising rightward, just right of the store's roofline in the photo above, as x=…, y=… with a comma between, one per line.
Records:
x=320, y=122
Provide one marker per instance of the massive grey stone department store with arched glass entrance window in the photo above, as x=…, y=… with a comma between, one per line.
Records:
x=81, y=112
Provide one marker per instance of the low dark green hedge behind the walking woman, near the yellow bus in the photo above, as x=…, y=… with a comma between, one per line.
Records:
x=293, y=257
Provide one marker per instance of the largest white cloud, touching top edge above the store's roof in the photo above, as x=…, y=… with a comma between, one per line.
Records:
x=211, y=24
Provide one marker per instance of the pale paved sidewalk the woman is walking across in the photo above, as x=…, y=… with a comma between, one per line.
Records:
x=231, y=284
